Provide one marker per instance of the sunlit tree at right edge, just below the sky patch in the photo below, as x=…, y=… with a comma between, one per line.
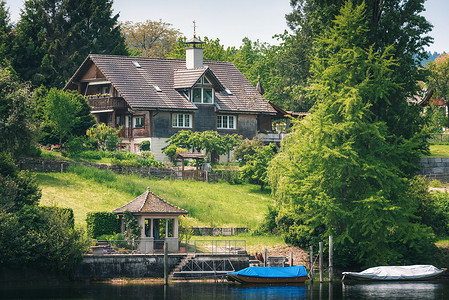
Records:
x=439, y=78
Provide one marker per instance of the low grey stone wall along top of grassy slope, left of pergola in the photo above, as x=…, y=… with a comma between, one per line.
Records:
x=39, y=165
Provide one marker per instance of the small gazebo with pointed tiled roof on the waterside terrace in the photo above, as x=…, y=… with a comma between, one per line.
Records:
x=151, y=211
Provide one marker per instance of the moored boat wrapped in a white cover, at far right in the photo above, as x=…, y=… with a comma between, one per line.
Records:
x=415, y=272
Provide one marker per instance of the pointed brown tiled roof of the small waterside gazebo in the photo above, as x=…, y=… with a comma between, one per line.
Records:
x=149, y=203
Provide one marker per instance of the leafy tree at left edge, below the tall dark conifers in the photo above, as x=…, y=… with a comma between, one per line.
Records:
x=16, y=120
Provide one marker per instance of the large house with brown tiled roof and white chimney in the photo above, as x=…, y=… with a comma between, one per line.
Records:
x=153, y=98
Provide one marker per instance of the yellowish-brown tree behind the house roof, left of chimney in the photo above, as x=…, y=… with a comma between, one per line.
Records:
x=150, y=38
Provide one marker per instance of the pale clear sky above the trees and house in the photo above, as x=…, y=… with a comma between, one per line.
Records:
x=232, y=20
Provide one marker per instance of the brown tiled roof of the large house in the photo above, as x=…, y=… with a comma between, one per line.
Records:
x=136, y=84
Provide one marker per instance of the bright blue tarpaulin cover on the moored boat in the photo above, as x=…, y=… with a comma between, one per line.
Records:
x=272, y=272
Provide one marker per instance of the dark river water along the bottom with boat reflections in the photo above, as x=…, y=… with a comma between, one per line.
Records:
x=225, y=290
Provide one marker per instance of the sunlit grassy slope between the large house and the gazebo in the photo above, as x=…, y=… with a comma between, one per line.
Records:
x=209, y=204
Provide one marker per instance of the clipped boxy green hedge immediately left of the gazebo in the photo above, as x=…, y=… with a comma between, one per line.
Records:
x=102, y=223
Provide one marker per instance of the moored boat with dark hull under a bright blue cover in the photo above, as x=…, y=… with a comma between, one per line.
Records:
x=270, y=275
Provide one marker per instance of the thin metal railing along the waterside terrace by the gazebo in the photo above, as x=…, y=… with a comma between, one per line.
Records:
x=212, y=247
